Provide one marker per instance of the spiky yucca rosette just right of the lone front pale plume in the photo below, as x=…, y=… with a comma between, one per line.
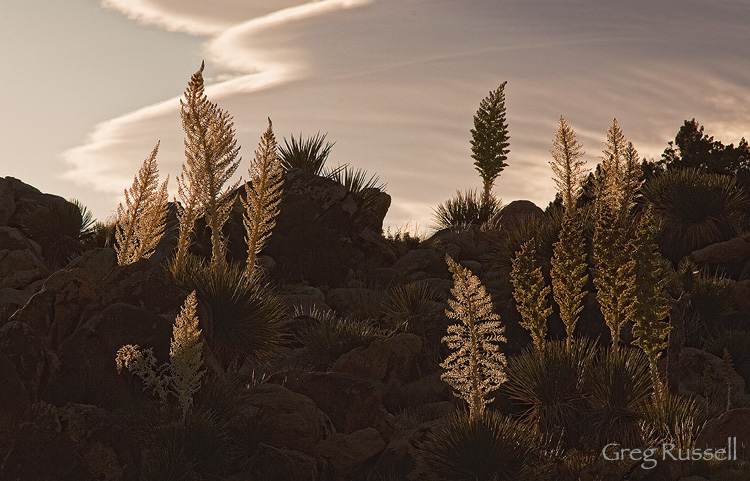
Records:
x=548, y=385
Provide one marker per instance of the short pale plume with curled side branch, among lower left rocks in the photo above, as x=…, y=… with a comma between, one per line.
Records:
x=181, y=377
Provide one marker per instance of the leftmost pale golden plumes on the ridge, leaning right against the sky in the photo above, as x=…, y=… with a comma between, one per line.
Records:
x=140, y=223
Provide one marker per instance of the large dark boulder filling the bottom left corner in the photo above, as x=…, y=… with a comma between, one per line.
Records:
x=74, y=442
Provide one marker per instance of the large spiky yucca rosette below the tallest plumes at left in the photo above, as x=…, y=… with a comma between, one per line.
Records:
x=246, y=317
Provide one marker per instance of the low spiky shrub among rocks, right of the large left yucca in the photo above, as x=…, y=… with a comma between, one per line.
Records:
x=331, y=337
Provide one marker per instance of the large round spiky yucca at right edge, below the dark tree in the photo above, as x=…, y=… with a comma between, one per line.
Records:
x=694, y=209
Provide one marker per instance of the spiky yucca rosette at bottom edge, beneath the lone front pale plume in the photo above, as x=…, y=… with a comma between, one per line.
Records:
x=485, y=447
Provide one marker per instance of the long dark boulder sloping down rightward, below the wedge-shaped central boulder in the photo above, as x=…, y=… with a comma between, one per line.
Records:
x=350, y=403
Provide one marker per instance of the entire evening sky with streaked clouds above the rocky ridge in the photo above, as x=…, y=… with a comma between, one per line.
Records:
x=90, y=86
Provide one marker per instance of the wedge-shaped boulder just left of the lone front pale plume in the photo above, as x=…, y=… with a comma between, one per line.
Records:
x=383, y=360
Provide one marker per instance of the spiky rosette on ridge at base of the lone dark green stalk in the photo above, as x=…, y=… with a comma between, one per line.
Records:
x=465, y=209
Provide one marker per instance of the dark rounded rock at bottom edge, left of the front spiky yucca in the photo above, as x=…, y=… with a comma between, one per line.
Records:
x=350, y=454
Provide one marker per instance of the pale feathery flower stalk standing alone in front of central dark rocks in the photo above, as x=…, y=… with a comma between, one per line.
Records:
x=476, y=367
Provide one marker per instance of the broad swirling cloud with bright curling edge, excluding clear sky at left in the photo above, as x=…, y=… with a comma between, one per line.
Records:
x=395, y=83
